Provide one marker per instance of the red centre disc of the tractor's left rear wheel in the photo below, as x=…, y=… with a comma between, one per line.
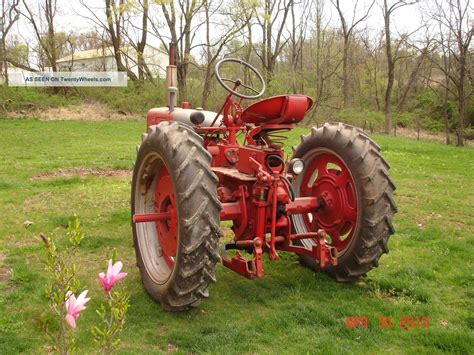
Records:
x=167, y=230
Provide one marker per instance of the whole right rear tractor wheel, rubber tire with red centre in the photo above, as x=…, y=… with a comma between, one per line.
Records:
x=353, y=177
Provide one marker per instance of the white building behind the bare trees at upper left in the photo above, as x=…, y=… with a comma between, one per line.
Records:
x=103, y=59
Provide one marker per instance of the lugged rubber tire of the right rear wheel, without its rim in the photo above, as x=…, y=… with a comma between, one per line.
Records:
x=377, y=202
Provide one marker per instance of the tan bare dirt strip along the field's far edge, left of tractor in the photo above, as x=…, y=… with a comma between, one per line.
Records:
x=81, y=112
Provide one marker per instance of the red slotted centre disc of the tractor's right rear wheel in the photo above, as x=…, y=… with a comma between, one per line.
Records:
x=328, y=178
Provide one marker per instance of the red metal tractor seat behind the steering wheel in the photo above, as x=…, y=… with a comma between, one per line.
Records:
x=277, y=110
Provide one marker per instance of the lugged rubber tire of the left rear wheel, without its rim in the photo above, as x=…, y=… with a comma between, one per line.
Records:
x=198, y=241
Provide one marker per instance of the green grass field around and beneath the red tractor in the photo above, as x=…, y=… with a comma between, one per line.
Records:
x=428, y=272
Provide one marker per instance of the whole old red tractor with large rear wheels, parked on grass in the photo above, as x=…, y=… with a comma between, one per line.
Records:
x=330, y=202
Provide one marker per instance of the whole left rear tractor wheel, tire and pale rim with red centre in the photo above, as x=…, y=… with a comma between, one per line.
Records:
x=176, y=257
